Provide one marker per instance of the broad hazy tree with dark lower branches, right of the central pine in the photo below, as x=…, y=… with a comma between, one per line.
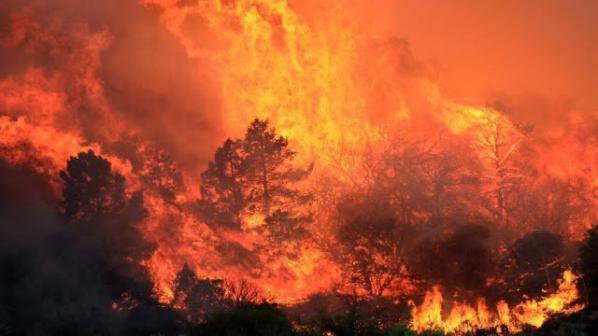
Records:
x=415, y=189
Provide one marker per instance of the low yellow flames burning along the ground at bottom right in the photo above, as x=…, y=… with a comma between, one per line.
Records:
x=463, y=318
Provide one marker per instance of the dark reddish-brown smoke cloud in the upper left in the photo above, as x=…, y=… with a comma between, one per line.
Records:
x=148, y=84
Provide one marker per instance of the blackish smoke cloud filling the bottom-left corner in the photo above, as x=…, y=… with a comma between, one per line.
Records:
x=52, y=281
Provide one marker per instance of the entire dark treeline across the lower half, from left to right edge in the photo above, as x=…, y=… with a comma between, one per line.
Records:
x=76, y=266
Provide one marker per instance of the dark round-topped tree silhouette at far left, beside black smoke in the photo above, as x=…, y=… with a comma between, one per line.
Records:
x=106, y=222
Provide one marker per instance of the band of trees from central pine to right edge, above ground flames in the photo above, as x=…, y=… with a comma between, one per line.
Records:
x=447, y=211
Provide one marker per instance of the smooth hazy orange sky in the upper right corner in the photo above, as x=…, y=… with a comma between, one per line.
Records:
x=546, y=48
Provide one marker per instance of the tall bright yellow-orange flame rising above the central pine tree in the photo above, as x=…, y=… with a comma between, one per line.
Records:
x=273, y=65
